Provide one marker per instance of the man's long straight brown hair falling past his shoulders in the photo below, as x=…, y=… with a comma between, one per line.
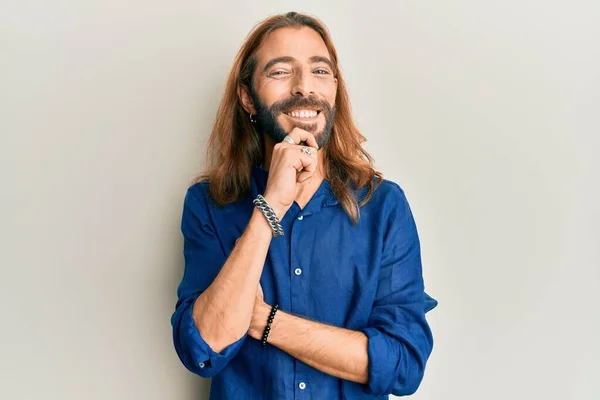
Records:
x=235, y=147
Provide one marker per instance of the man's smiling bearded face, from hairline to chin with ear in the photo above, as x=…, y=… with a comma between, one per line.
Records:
x=293, y=85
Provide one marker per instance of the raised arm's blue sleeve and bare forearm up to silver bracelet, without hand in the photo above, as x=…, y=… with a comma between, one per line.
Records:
x=216, y=293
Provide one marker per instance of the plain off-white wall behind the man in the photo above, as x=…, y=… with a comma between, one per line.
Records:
x=486, y=113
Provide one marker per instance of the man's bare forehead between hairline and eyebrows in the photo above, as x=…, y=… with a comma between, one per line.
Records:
x=299, y=43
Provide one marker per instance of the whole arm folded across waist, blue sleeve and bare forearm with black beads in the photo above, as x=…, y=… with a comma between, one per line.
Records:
x=390, y=354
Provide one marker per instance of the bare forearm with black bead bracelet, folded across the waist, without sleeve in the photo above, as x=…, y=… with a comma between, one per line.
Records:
x=336, y=351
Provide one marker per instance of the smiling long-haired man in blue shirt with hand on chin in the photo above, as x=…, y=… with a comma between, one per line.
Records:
x=302, y=264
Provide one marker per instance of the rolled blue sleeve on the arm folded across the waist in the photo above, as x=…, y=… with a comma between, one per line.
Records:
x=399, y=338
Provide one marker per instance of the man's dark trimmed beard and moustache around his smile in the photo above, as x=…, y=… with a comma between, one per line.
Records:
x=266, y=117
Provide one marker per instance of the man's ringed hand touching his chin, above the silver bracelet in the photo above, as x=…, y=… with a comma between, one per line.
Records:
x=290, y=166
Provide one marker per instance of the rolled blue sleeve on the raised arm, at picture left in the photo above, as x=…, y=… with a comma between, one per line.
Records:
x=204, y=257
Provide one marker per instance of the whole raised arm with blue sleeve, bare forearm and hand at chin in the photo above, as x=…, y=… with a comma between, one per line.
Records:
x=216, y=295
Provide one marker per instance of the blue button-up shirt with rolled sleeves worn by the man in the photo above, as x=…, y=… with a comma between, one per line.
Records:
x=366, y=278
